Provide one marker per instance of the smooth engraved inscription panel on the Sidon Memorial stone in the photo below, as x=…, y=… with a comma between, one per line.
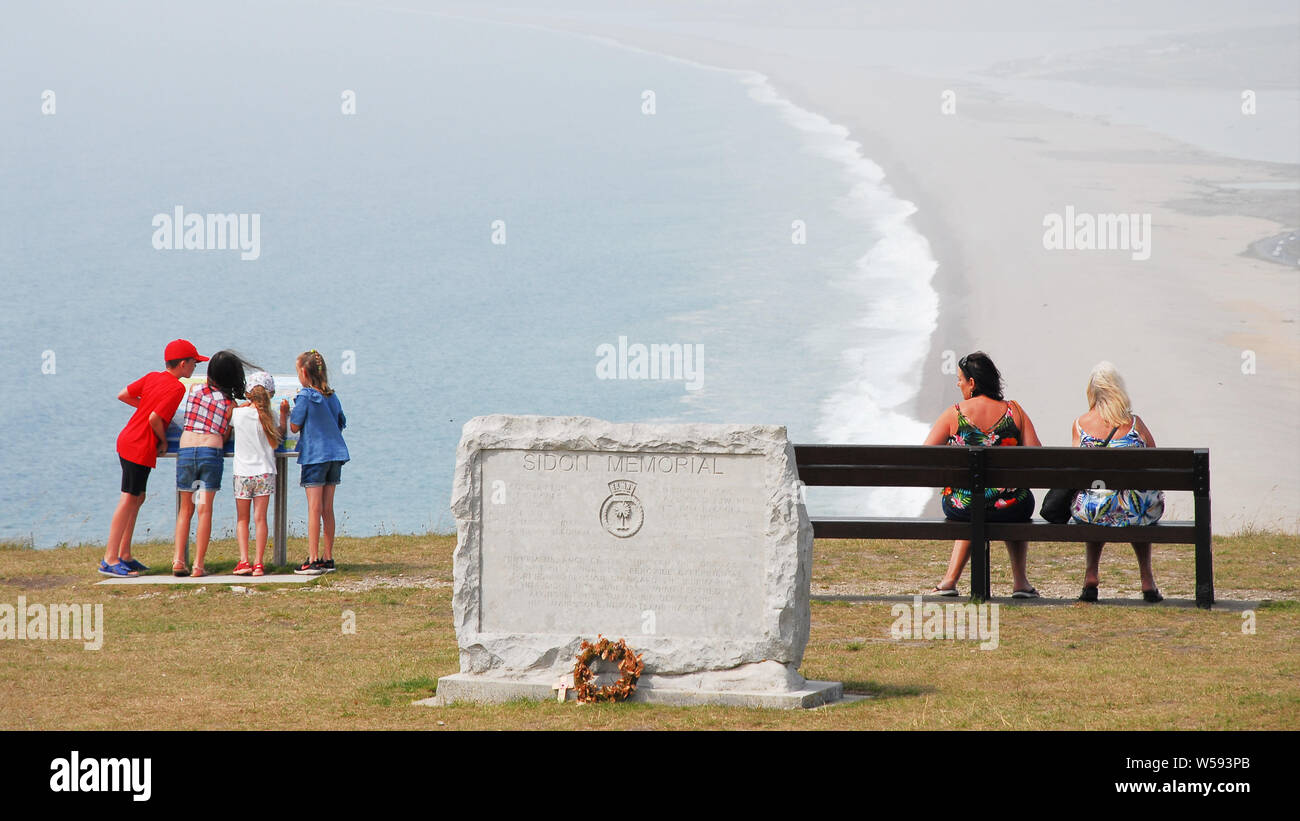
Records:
x=688, y=544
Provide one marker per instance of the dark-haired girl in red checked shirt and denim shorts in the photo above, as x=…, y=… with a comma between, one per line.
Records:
x=201, y=458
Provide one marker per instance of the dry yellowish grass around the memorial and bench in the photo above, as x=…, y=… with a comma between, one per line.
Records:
x=189, y=658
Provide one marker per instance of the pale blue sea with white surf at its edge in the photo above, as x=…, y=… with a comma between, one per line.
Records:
x=502, y=203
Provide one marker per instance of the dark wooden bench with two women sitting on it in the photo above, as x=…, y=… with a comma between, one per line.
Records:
x=977, y=468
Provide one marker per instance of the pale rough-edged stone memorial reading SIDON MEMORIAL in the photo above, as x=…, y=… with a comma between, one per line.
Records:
x=687, y=541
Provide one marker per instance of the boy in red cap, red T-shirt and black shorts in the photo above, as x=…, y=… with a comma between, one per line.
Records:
x=155, y=398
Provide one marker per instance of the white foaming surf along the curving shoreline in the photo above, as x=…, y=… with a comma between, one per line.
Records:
x=886, y=350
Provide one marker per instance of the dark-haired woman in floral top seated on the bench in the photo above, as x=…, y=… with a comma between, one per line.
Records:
x=985, y=419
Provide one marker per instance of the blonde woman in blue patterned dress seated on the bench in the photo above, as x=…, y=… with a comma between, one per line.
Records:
x=1111, y=415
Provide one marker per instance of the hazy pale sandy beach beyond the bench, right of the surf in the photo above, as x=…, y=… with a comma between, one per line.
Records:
x=1204, y=335
